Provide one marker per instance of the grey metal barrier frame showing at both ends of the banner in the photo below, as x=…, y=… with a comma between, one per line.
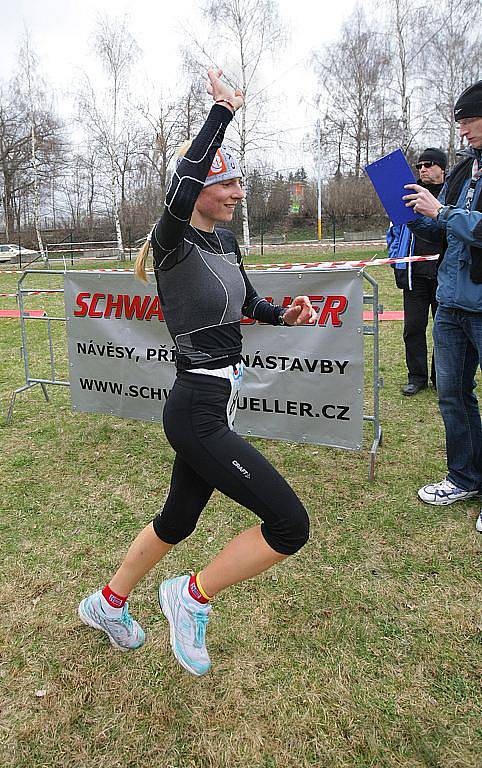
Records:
x=32, y=381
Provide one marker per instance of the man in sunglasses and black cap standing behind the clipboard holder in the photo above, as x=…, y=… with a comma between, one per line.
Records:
x=418, y=279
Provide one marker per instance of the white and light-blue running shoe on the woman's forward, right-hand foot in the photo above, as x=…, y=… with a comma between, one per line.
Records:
x=187, y=626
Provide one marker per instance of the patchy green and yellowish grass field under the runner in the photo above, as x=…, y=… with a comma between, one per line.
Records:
x=363, y=650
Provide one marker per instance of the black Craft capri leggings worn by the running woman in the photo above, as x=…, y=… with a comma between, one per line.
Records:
x=209, y=455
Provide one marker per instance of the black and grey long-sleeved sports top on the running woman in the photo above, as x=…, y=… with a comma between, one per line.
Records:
x=202, y=285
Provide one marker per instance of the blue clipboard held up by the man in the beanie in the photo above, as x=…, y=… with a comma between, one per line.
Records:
x=389, y=175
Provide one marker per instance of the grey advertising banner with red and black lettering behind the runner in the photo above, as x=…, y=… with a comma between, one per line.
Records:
x=301, y=384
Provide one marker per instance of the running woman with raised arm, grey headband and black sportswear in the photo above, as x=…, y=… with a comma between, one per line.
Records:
x=204, y=291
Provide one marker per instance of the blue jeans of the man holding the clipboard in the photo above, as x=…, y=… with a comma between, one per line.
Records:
x=457, y=337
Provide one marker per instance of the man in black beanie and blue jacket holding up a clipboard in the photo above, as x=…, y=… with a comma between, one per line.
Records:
x=454, y=223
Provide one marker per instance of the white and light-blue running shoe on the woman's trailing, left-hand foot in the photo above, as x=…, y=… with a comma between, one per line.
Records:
x=124, y=633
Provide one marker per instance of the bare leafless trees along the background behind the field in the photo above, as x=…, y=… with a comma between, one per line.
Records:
x=384, y=82
